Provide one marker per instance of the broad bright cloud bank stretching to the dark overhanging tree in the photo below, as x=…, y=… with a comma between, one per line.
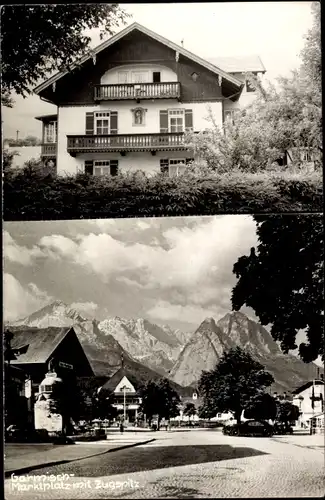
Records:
x=197, y=256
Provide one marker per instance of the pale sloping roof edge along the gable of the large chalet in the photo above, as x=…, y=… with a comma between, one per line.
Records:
x=155, y=36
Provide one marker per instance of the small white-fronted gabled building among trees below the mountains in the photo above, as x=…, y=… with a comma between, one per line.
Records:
x=124, y=389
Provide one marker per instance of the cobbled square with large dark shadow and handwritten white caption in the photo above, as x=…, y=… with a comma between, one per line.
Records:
x=186, y=464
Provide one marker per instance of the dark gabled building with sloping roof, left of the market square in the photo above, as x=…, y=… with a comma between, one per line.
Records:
x=42, y=350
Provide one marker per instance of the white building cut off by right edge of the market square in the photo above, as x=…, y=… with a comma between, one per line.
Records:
x=310, y=400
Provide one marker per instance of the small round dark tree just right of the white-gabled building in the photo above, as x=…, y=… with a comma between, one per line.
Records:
x=159, y=398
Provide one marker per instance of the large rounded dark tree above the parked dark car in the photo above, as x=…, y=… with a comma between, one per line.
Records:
x=233, y=383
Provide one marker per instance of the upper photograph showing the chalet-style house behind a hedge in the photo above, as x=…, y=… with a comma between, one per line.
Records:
x=153, y=110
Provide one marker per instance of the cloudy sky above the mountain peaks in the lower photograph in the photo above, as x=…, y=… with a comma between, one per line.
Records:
x=174, y=271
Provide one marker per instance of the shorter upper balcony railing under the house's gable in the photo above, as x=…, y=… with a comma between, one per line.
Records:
x=137, y=91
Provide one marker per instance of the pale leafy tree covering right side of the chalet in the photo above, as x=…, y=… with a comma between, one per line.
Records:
x=283, y=118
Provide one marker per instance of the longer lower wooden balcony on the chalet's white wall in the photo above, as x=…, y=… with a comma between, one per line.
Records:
x=125, y=142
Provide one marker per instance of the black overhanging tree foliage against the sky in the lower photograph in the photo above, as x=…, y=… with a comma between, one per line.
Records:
x=282, y=280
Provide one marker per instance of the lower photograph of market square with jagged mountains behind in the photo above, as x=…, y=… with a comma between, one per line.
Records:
x=140, y=368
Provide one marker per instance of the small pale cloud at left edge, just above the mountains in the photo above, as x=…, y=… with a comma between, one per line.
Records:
x=20, y=301
